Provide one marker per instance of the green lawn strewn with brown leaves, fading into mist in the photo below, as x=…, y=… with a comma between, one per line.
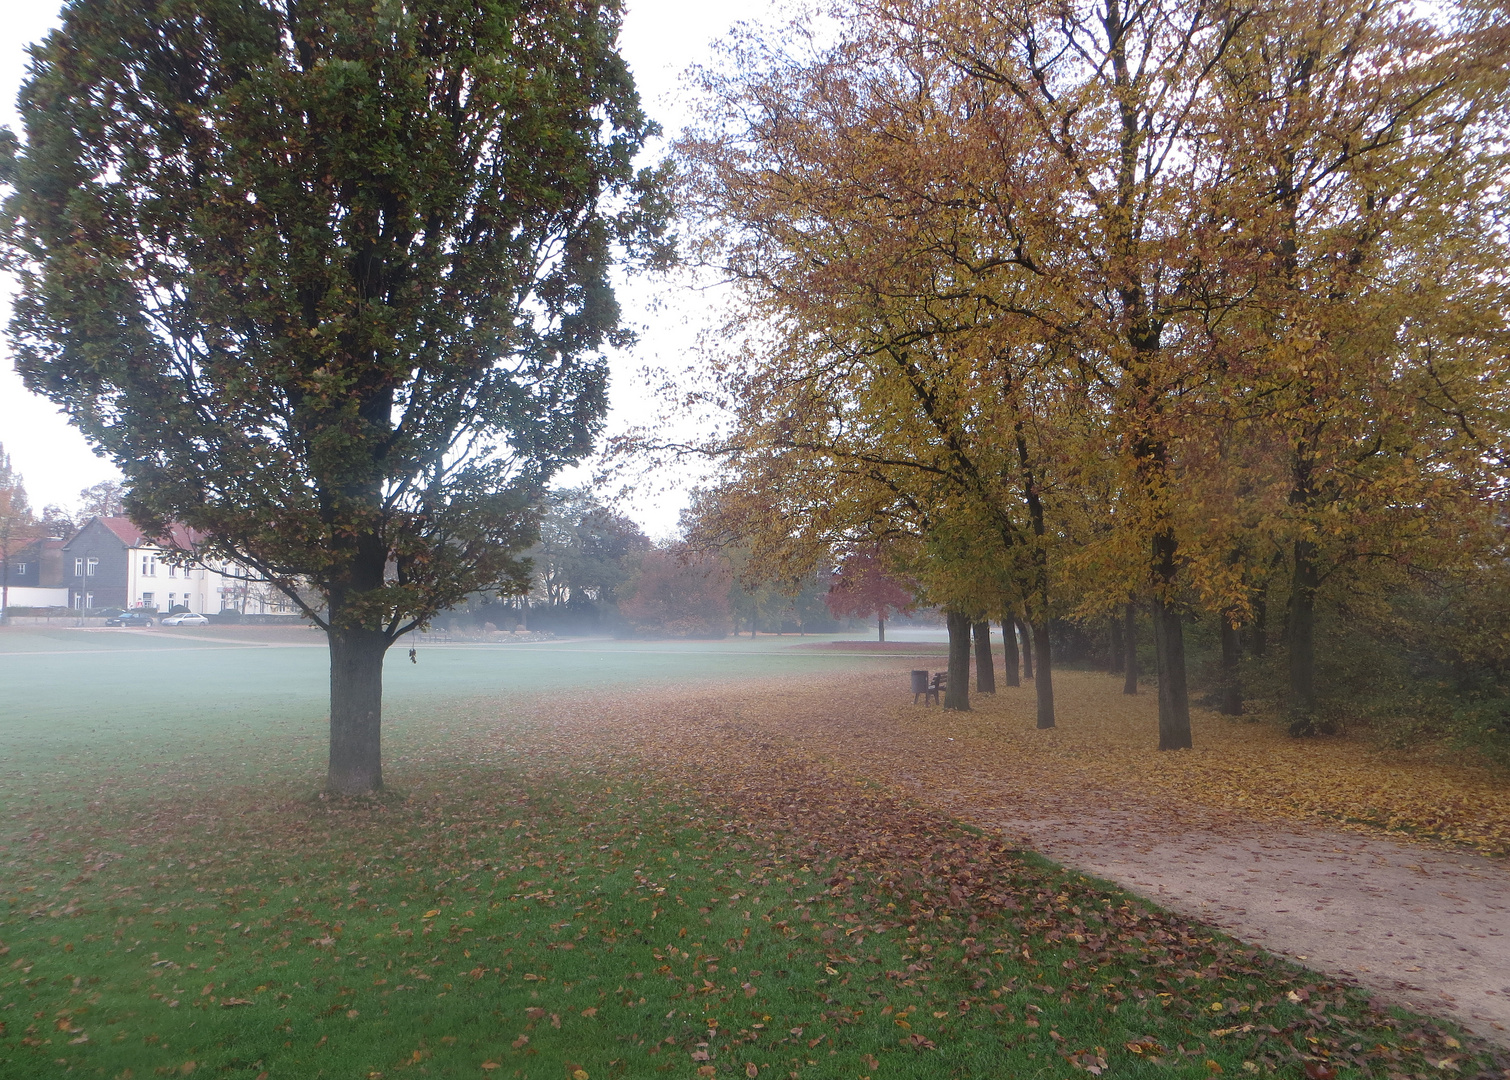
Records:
x=537, y=906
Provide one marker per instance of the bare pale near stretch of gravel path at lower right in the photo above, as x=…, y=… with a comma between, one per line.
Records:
x=1416, y=924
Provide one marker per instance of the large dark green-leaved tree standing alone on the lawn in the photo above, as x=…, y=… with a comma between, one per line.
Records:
x=330, y=283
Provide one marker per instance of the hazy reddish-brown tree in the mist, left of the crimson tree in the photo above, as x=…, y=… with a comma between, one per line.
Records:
x=680, y=594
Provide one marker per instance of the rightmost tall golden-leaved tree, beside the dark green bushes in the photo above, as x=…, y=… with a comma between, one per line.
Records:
x=1367, y=155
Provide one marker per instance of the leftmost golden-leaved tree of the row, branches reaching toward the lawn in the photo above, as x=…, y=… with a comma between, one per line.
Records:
x=907, y=342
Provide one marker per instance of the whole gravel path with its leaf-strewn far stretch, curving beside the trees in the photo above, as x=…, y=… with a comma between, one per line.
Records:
x=1417, y=924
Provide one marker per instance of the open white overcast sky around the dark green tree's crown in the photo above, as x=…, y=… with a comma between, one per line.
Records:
x=661, y=40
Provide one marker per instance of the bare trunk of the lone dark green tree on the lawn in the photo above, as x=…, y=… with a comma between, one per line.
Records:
x=356, y=711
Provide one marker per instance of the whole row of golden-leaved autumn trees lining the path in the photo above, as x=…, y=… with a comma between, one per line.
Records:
x=1192, y=304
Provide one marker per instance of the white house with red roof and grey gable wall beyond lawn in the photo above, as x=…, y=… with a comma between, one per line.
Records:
x=111, y=563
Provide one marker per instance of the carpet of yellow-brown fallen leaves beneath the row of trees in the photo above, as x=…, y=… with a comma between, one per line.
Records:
x=1108, y=742
